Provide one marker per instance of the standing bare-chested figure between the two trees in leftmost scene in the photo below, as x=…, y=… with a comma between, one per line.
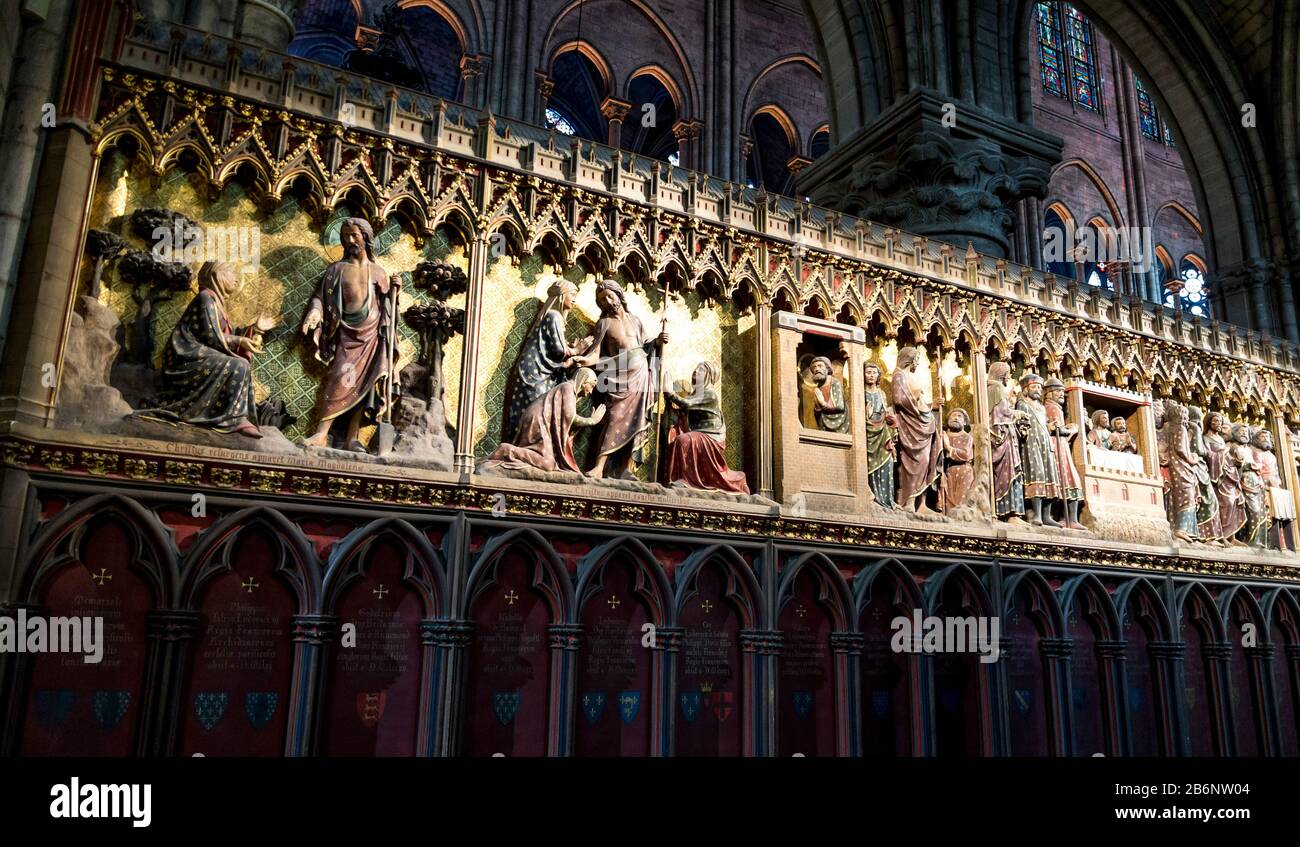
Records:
x=350, y=324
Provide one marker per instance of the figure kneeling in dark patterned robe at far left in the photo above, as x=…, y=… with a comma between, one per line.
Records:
x=207, y=368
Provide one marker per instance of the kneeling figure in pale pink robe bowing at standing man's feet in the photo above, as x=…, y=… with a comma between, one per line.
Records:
x=545, y=436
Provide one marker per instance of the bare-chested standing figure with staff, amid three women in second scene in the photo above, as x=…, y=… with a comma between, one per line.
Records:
x=621, y=354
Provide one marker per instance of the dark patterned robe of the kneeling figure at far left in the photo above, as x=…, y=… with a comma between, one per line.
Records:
x=203, y=381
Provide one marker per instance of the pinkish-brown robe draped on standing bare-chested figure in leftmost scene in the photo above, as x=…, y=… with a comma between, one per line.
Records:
x=354, y=346
